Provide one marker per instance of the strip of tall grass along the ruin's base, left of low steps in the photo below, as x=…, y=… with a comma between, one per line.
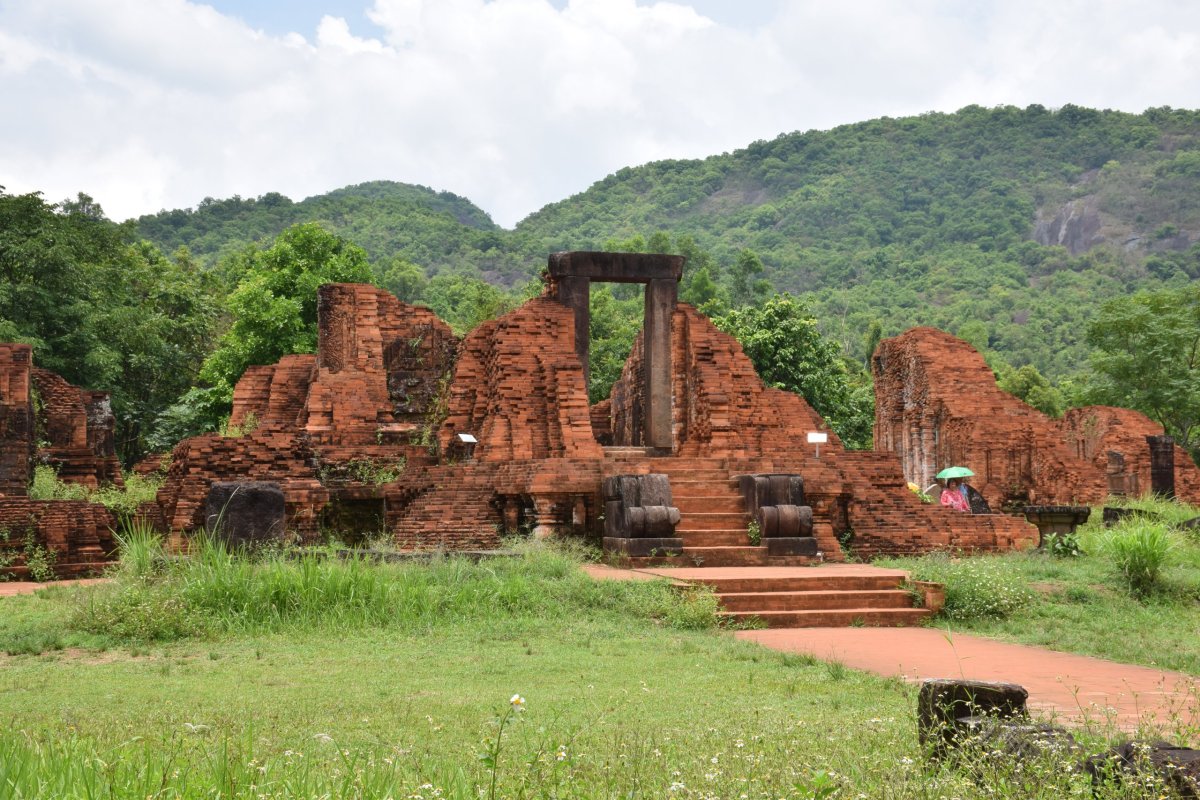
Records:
x=214, y=590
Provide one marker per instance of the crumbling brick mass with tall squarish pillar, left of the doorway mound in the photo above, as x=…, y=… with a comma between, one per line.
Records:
x=344, y=432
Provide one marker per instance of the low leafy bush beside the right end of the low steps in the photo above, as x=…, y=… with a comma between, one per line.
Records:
x=975, y=587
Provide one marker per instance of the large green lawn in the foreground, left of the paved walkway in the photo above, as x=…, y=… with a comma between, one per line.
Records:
x=629, y=691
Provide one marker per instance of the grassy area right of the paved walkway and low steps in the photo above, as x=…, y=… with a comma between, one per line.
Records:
x=1088, y=605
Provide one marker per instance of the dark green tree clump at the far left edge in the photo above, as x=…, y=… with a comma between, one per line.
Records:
x=103, y=310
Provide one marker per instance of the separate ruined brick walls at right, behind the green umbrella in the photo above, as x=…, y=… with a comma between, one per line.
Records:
x=938, y=406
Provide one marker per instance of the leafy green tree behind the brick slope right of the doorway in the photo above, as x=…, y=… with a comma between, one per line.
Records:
x=782, y=340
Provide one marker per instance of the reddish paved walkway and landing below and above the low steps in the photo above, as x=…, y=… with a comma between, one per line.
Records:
x=1067, y=688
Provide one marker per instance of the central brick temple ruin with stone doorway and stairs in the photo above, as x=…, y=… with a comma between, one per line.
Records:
x=495, y=435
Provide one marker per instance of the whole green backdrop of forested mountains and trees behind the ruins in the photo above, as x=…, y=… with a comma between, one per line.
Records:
x=1063, y=244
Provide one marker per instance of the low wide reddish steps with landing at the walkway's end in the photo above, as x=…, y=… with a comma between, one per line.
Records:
x=836, y=596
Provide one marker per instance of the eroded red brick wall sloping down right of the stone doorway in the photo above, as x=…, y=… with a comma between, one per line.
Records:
x=722, y=410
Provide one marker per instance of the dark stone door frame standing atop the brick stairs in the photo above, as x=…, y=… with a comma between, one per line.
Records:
x=571, y=278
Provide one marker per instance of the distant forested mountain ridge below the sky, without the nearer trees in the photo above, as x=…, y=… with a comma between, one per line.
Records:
x=1006, y=226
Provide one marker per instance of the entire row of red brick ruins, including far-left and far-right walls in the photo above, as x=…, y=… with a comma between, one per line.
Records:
x=398, y=429
